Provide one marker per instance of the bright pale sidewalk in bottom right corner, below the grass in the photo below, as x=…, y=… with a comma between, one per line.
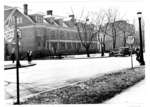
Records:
x=133, y=95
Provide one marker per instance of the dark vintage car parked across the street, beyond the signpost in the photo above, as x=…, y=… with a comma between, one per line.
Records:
x=123, y=51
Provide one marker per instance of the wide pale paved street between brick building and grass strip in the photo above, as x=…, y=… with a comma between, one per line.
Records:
x=49, y=74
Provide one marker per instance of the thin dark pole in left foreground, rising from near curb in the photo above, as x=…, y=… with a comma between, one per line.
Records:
x=17, y=60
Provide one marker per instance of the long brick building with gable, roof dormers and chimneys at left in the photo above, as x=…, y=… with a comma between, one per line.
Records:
x=39, y=32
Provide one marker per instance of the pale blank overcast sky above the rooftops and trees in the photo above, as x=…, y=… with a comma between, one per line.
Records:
x=127, y=8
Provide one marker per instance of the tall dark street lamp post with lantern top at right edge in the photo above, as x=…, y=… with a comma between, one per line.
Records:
x=142, y=62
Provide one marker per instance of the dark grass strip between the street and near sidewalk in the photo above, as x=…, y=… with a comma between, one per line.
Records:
x=92, y=91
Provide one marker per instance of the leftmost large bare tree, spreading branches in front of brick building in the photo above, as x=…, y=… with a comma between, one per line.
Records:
x=85, y=31
